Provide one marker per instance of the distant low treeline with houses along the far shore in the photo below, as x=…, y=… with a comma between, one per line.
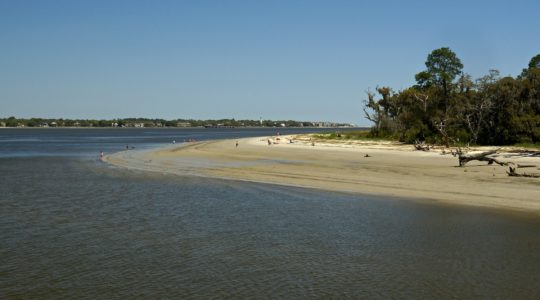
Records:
x=144, y=122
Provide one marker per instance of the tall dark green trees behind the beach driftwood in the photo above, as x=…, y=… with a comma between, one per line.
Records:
x=446, y=106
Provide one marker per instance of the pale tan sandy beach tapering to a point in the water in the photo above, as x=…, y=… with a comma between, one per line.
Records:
x=376, y=168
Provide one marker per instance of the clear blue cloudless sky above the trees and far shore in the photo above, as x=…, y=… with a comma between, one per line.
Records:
x=302, y=60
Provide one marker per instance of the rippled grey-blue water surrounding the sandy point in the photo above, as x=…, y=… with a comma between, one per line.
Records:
x=72, y=227
